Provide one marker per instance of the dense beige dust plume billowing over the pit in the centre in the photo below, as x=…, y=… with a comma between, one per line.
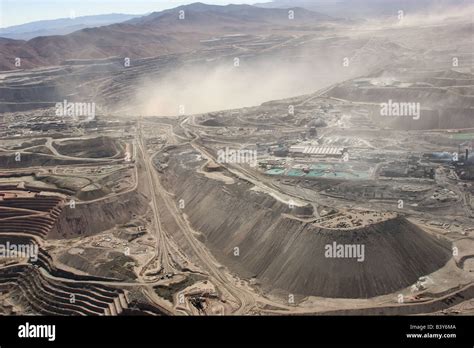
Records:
x=205, y=88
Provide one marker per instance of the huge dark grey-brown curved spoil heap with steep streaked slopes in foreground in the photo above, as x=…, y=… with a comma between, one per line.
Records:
x=287, y=254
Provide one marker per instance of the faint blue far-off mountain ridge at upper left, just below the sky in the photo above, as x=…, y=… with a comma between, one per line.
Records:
x=61, y=26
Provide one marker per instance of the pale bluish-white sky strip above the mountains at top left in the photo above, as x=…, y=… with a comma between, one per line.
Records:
x=13, y=12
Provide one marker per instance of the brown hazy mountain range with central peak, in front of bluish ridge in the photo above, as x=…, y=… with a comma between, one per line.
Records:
x=152, y=35
